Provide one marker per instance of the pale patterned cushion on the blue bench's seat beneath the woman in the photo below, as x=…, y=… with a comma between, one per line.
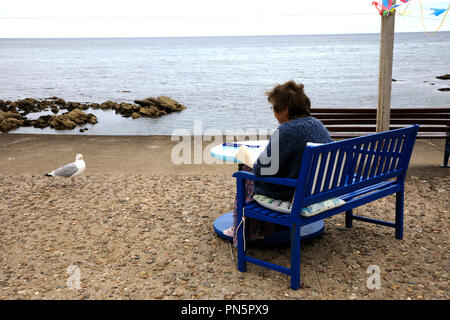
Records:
x=285, y=206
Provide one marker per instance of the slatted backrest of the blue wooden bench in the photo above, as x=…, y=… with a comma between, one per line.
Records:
x=337, y=168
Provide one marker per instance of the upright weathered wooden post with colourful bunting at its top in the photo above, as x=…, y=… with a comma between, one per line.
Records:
x=385, y=73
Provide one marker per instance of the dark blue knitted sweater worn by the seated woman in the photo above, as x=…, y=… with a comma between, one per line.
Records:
x=292, y=137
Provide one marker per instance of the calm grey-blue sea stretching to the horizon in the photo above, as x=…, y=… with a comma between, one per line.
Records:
x=221, y=80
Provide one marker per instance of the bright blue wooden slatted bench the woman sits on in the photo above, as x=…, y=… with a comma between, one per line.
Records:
x=358, y=171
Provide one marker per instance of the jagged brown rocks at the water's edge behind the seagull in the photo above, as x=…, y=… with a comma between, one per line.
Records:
x=14, y=114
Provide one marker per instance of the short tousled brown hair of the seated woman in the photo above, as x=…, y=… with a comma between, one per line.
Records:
x=291, y=96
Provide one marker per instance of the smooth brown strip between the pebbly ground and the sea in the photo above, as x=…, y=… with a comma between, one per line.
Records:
x=149, y=154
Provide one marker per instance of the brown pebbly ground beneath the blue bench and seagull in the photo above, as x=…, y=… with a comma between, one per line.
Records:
x=140, y=234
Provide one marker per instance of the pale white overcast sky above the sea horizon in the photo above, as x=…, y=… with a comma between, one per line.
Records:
x=168, y=18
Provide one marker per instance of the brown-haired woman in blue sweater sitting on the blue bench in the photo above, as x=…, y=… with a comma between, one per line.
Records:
x=291, y=107
